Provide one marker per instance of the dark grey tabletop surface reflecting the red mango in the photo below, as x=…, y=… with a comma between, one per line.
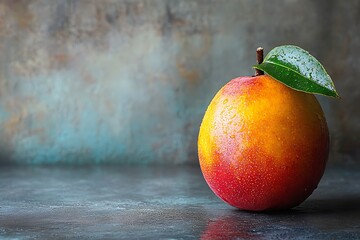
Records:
x=116, y=202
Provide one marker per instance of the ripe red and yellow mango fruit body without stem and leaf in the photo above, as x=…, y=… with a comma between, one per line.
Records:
x=263, y=145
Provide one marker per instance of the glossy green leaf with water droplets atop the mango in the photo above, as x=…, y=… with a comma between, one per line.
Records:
x=297, y=69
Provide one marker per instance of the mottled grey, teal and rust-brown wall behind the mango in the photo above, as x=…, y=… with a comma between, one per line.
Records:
x=128, y=81
